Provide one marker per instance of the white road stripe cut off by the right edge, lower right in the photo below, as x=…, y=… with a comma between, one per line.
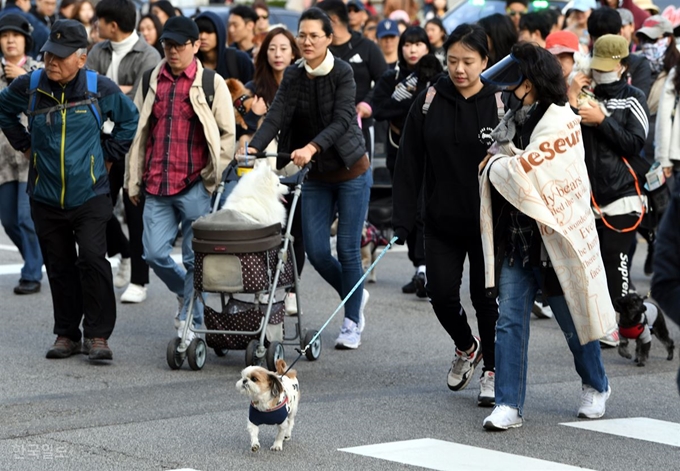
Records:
x=640, y=428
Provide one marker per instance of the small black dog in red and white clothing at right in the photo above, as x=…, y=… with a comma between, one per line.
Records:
x=638, y=319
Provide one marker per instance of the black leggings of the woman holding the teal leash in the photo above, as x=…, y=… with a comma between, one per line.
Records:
x=445, y=256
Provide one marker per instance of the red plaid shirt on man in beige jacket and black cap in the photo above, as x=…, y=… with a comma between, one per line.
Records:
x=177, y=149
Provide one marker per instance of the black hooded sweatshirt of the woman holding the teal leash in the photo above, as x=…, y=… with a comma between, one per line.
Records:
x=442, y=151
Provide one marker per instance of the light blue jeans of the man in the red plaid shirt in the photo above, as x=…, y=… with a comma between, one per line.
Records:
x=162, y=216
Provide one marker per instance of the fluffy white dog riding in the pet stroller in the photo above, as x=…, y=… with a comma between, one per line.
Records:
x=258, y=197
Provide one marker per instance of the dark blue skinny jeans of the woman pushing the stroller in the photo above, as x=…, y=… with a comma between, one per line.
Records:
x=320, y=201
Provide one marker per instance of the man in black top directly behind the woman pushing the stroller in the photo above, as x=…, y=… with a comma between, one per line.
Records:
x=366, y=59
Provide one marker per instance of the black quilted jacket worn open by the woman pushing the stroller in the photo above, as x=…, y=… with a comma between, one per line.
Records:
x=337, y=114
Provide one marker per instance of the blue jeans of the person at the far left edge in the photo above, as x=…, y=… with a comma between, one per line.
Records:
x=15, y=215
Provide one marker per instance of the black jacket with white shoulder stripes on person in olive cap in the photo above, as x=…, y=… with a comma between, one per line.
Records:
x=622, y=134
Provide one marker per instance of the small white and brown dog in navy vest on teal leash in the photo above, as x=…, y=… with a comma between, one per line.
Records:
x=274, y=399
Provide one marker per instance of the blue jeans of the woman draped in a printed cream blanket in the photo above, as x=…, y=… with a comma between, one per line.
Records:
x=517, y=290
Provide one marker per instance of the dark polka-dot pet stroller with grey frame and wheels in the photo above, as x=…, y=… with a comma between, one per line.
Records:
x=244, y=265
